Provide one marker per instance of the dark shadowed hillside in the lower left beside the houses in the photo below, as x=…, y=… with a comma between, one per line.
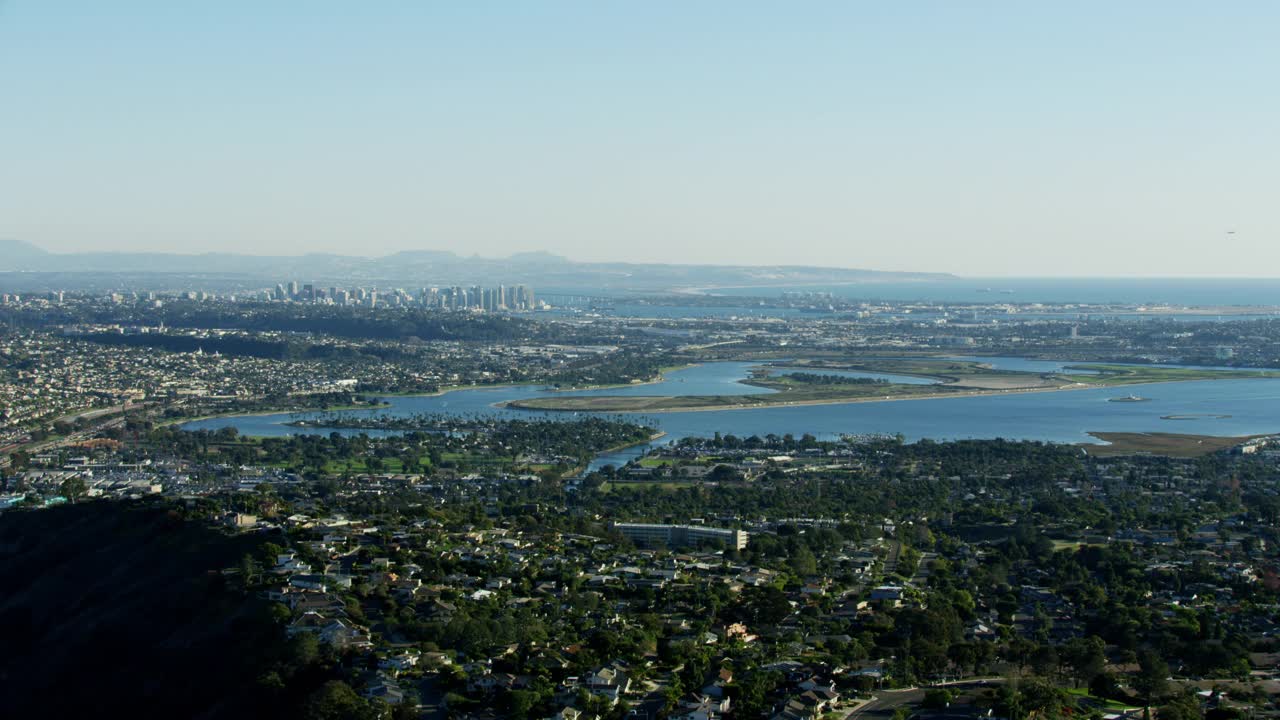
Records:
x=116, y=610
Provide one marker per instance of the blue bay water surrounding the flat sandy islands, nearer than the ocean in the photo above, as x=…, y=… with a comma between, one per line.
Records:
x=1059, y=417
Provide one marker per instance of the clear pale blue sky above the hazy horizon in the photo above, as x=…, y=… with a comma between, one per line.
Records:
x=981, y=139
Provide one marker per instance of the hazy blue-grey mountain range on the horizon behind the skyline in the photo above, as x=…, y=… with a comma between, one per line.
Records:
x=419, y=268
